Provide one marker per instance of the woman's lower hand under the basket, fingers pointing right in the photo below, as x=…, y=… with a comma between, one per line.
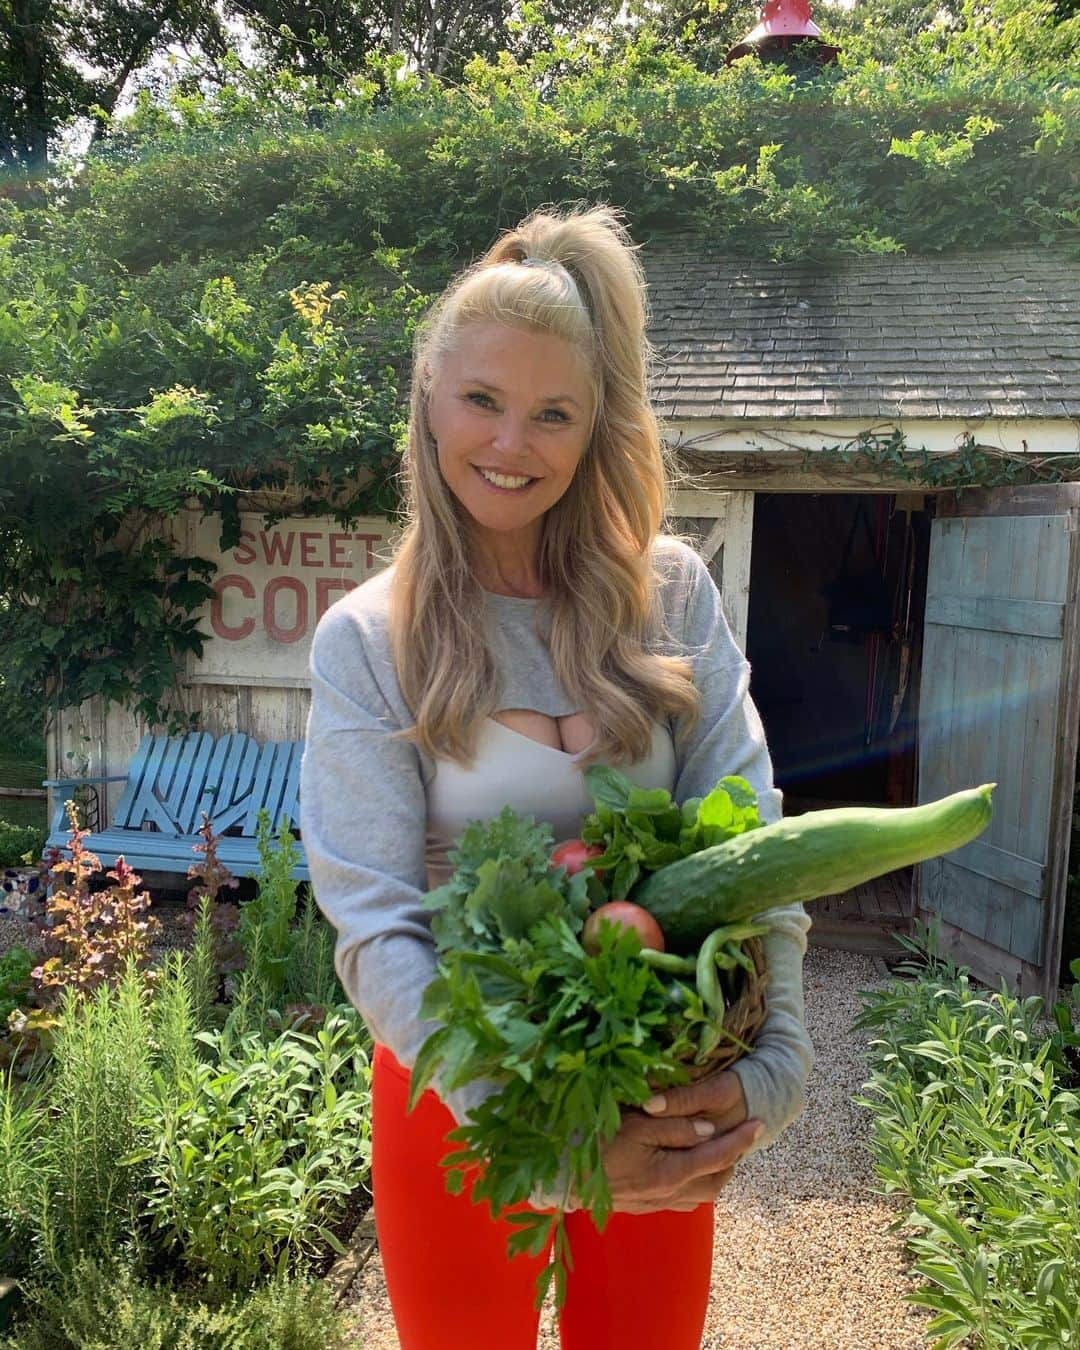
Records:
x=668, y=1164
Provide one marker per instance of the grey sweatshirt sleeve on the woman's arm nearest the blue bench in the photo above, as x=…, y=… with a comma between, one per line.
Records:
x=364, y=823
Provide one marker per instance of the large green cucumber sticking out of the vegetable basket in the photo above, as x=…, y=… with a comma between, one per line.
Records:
x=803, y=859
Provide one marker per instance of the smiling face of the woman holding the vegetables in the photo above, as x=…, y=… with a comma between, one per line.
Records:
x=511, y=411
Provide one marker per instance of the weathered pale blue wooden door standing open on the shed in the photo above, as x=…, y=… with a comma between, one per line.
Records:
x=1000, y=701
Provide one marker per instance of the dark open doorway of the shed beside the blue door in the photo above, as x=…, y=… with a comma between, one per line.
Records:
x=839, y=701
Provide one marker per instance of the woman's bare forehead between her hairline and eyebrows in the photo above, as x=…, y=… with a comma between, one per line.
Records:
x=512, y=358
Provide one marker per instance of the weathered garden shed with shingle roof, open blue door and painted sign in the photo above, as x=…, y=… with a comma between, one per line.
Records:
x=907, y=641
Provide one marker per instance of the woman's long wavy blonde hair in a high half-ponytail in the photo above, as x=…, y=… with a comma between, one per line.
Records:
x=596, y=554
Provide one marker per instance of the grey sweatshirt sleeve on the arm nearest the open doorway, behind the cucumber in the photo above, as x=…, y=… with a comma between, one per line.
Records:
x=730, y=739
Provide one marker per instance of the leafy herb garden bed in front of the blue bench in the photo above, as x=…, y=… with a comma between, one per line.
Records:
x=184, y=1114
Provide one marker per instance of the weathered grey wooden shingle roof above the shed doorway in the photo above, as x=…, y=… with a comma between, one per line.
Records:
x=988, y=334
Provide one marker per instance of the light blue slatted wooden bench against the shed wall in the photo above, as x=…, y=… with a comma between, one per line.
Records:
x=172, y=781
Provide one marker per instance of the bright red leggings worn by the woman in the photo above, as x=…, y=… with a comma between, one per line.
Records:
x=642, y=1285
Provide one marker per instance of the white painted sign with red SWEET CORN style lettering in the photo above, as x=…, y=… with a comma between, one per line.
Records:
x=273, y=588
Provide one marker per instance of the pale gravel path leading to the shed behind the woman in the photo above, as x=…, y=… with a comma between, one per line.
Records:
x=804, y=1259
